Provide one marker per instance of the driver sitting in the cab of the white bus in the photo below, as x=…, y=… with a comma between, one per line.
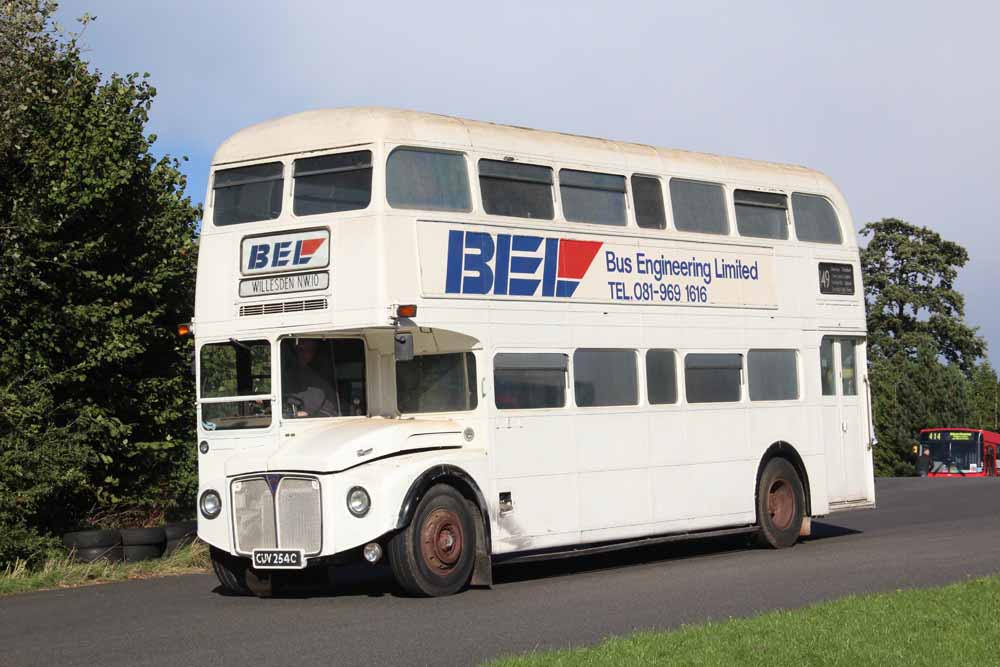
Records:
x=306, y=392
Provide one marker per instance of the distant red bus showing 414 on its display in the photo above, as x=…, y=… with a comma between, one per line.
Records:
x=958, y=452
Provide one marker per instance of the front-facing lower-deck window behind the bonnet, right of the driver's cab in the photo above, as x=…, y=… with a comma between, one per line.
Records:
x=436, y=383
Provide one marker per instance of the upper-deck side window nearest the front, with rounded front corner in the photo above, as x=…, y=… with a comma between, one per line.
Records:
x=427, y=179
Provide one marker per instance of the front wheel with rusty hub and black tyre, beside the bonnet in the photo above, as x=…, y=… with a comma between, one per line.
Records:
x=435, y=554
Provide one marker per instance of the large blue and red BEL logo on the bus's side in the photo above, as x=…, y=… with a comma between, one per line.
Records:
x=510, y=264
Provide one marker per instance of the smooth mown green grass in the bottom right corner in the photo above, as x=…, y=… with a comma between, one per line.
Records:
x=954, y=625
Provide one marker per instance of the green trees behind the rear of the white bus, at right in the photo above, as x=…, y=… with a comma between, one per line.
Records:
x=922, y=355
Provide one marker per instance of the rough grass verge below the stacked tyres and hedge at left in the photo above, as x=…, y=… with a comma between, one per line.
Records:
x=62, y=572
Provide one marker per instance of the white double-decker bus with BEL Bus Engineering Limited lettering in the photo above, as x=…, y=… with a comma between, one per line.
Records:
x=451, y=344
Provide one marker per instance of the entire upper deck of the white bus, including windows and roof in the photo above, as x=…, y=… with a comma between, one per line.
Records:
x=415, y=208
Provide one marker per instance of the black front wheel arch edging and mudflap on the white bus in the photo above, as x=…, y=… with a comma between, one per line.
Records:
x=464, y=483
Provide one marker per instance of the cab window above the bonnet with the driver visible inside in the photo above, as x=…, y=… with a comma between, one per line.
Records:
x=322, y=377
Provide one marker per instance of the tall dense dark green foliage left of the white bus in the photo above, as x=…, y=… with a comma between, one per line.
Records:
x=97, y=265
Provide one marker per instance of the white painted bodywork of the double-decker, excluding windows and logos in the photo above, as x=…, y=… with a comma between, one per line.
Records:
x=575, y=475
